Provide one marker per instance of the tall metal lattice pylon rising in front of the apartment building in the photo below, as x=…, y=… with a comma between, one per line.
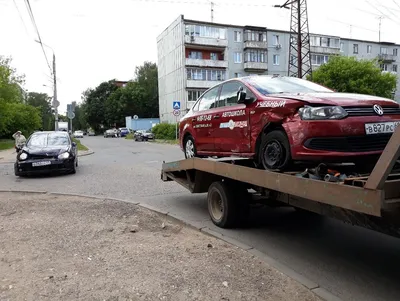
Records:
x=299, y=48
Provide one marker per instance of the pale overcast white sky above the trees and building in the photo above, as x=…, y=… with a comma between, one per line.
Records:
x=98, y=40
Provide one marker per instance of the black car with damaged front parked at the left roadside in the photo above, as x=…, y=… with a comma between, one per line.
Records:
x=47, y=152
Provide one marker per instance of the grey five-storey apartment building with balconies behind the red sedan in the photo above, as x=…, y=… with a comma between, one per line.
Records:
x=194, y=56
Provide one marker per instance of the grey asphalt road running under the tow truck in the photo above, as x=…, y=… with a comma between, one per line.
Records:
x=351, y=262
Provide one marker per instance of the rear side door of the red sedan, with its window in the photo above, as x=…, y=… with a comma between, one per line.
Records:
x=203, y=121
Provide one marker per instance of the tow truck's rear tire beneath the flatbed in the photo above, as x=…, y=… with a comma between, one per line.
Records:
x=225, y=205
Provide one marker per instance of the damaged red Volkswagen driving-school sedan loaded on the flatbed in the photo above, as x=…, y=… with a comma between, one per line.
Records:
x=279, y=120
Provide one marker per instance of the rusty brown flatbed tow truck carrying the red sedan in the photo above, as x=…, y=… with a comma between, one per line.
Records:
x=369, y=200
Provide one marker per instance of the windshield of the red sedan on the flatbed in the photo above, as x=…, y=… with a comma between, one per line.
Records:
x=274, y=85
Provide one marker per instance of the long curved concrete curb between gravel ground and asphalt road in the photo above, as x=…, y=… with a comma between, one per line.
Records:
x=292, y=274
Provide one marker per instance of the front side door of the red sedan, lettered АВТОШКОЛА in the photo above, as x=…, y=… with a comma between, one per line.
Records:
x=232, y=134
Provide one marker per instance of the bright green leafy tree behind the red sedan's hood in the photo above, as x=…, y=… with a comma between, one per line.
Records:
x=347, y=74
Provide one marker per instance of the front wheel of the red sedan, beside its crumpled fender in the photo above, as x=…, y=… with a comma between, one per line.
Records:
x=274, y=152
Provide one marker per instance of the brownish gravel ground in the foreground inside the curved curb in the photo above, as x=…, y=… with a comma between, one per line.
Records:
x=71, y=248
